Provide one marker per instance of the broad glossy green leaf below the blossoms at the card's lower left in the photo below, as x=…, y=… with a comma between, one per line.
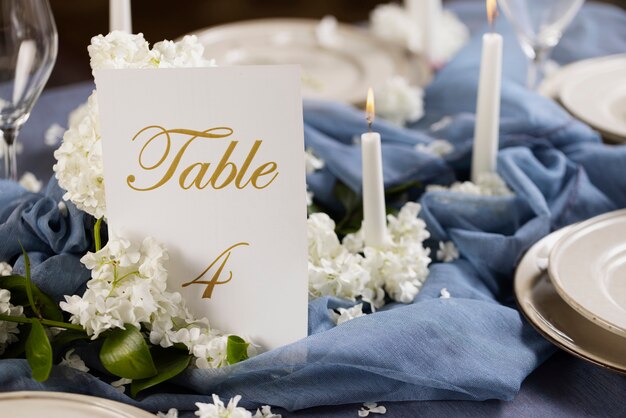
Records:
x=126, y=354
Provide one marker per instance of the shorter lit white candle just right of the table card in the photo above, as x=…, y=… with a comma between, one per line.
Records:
x=374, y=212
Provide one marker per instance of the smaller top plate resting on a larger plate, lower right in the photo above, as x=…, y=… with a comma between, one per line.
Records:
x=588, y=269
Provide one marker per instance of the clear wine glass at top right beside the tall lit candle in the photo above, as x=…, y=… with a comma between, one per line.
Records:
x=539, y=25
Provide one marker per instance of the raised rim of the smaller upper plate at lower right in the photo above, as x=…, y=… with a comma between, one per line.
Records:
x=608, y=325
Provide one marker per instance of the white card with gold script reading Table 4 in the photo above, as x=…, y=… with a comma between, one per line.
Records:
x=210, y=162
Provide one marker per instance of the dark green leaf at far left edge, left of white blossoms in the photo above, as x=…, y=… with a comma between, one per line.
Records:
x=19, y=288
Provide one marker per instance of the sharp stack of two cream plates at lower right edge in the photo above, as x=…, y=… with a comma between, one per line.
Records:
x=571, y=286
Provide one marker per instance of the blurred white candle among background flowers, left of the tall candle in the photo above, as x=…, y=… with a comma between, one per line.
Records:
x=426, y=16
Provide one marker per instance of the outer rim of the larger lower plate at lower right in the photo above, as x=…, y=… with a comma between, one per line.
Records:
x=528, y=315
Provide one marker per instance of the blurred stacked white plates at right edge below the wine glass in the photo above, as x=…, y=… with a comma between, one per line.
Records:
x=594, y=91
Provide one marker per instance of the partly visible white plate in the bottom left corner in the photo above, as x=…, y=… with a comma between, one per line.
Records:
x=64, y=405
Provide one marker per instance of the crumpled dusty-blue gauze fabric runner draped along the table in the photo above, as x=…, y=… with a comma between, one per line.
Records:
x=473, y=346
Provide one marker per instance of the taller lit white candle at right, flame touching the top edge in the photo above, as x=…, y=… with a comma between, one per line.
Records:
x=486, y=132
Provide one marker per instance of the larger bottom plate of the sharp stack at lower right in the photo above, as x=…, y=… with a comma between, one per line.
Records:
x=556, y=320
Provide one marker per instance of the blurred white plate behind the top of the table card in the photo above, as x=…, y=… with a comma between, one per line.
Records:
x=339, y=64
